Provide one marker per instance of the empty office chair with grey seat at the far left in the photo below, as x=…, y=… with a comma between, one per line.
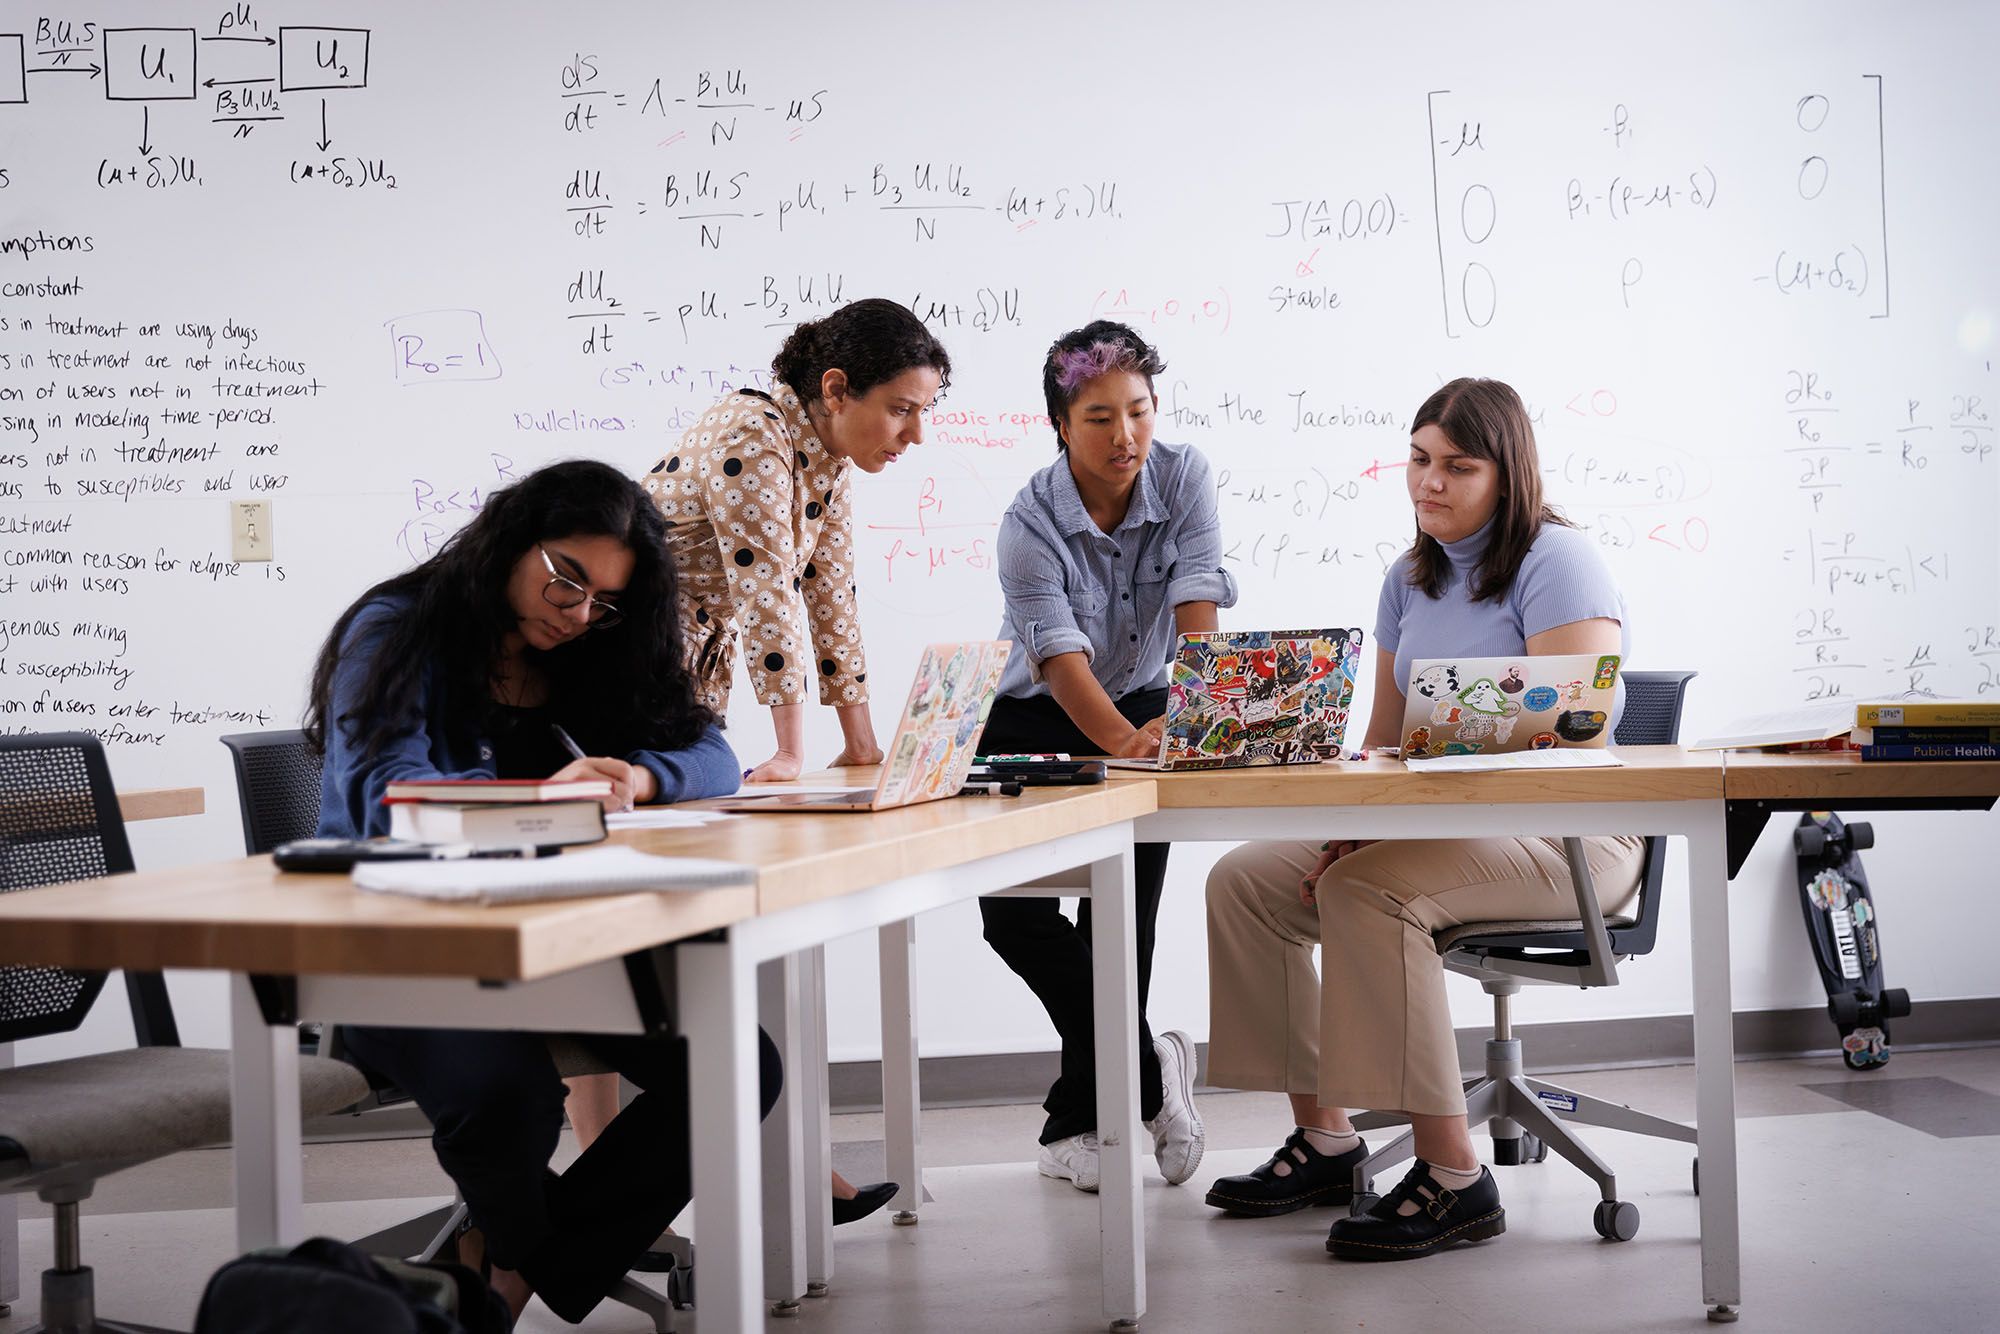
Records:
x=69, y=1123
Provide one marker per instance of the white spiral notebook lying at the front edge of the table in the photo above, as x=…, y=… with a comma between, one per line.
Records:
x=575, y=875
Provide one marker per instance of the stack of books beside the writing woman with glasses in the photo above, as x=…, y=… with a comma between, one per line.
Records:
x=497, y=813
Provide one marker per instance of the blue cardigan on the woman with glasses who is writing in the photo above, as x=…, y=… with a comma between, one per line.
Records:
x=353, y=785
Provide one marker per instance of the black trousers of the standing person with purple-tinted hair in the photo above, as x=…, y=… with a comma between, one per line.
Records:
x=1049, y=953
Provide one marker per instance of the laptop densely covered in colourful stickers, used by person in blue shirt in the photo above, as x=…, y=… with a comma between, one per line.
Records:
x=1257, y=697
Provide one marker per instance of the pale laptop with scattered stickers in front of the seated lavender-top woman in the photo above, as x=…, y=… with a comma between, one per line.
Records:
x=1499, y=713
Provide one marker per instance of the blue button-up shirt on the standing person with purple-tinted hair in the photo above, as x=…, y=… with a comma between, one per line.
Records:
x=1073, y=587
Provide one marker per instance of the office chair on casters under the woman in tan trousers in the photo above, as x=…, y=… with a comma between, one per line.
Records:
x=1529, y=1117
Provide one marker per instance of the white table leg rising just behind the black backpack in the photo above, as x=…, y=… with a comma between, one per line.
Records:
x=265, y=1125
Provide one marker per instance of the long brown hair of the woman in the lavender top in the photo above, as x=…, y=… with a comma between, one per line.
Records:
x=1487, y=419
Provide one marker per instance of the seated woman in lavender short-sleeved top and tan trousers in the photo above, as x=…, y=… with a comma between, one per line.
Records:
x=1491, y=573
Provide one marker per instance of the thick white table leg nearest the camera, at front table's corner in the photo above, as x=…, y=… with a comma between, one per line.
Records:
x=719, y=1011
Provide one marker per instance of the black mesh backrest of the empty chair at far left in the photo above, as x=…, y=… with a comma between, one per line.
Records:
x=59, y=821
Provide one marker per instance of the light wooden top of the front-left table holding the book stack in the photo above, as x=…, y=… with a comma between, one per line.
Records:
x=249, y=917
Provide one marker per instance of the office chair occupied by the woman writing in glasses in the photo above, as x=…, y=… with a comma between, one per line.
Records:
x=279, y=793
